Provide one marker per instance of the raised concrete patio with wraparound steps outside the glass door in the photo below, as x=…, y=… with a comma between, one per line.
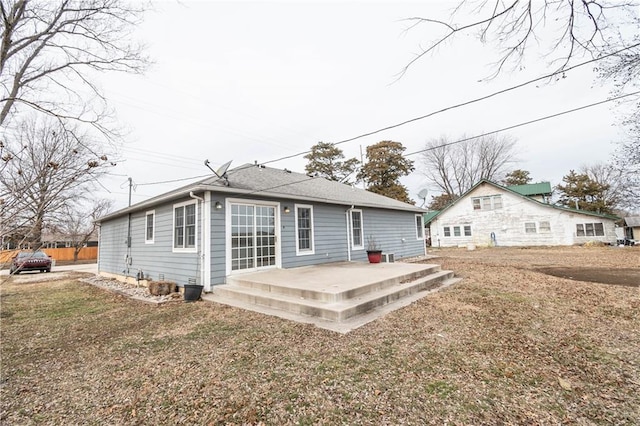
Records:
x=335, y=296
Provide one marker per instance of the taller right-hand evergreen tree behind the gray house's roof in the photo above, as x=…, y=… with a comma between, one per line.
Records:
x=384, y=168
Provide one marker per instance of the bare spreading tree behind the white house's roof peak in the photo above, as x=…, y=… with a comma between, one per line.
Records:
x=455, y=167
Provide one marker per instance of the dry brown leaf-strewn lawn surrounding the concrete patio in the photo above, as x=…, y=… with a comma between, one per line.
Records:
x=507, y=345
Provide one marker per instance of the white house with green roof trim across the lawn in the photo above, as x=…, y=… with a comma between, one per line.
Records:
x=491, y=214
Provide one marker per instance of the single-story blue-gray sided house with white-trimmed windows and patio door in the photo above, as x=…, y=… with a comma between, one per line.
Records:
x=256, y=218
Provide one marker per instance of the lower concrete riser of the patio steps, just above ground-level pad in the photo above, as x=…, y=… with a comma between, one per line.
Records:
x=329, y=312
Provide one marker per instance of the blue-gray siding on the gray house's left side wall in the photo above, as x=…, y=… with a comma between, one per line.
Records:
x=154, y=259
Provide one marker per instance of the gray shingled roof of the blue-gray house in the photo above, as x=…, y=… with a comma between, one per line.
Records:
x=260, y=181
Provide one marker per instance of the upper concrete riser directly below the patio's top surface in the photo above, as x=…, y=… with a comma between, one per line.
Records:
x=328, y=297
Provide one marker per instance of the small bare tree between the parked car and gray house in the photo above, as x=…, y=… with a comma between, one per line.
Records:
x=78, y=223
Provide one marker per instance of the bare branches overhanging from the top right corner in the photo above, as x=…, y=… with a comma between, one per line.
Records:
x=563, y=32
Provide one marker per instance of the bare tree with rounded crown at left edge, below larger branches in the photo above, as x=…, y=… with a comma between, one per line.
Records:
x=50, y=170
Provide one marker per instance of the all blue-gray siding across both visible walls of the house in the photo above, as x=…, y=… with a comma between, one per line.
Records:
x=395, y=232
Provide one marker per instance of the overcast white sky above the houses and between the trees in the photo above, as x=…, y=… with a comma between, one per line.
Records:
x=258, y=81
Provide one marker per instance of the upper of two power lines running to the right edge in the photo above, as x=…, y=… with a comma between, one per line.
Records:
x=482, y=98
